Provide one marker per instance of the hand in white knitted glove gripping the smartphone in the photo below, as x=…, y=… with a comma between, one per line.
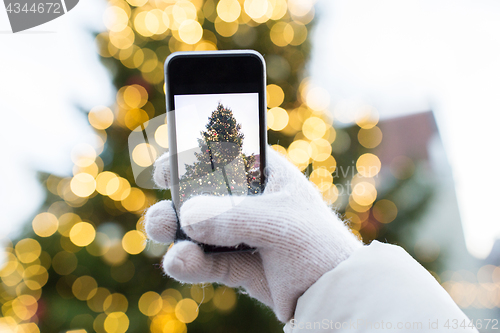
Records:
x=297, y=236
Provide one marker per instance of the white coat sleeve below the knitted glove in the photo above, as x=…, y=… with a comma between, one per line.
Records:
x=379, y=287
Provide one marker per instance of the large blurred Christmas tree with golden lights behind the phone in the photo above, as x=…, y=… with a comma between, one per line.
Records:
x=82, y=262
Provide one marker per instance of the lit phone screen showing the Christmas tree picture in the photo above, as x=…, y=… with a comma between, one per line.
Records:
x=218, y=144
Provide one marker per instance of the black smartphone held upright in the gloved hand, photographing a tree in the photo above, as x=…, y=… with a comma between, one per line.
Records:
x=216, y=118
